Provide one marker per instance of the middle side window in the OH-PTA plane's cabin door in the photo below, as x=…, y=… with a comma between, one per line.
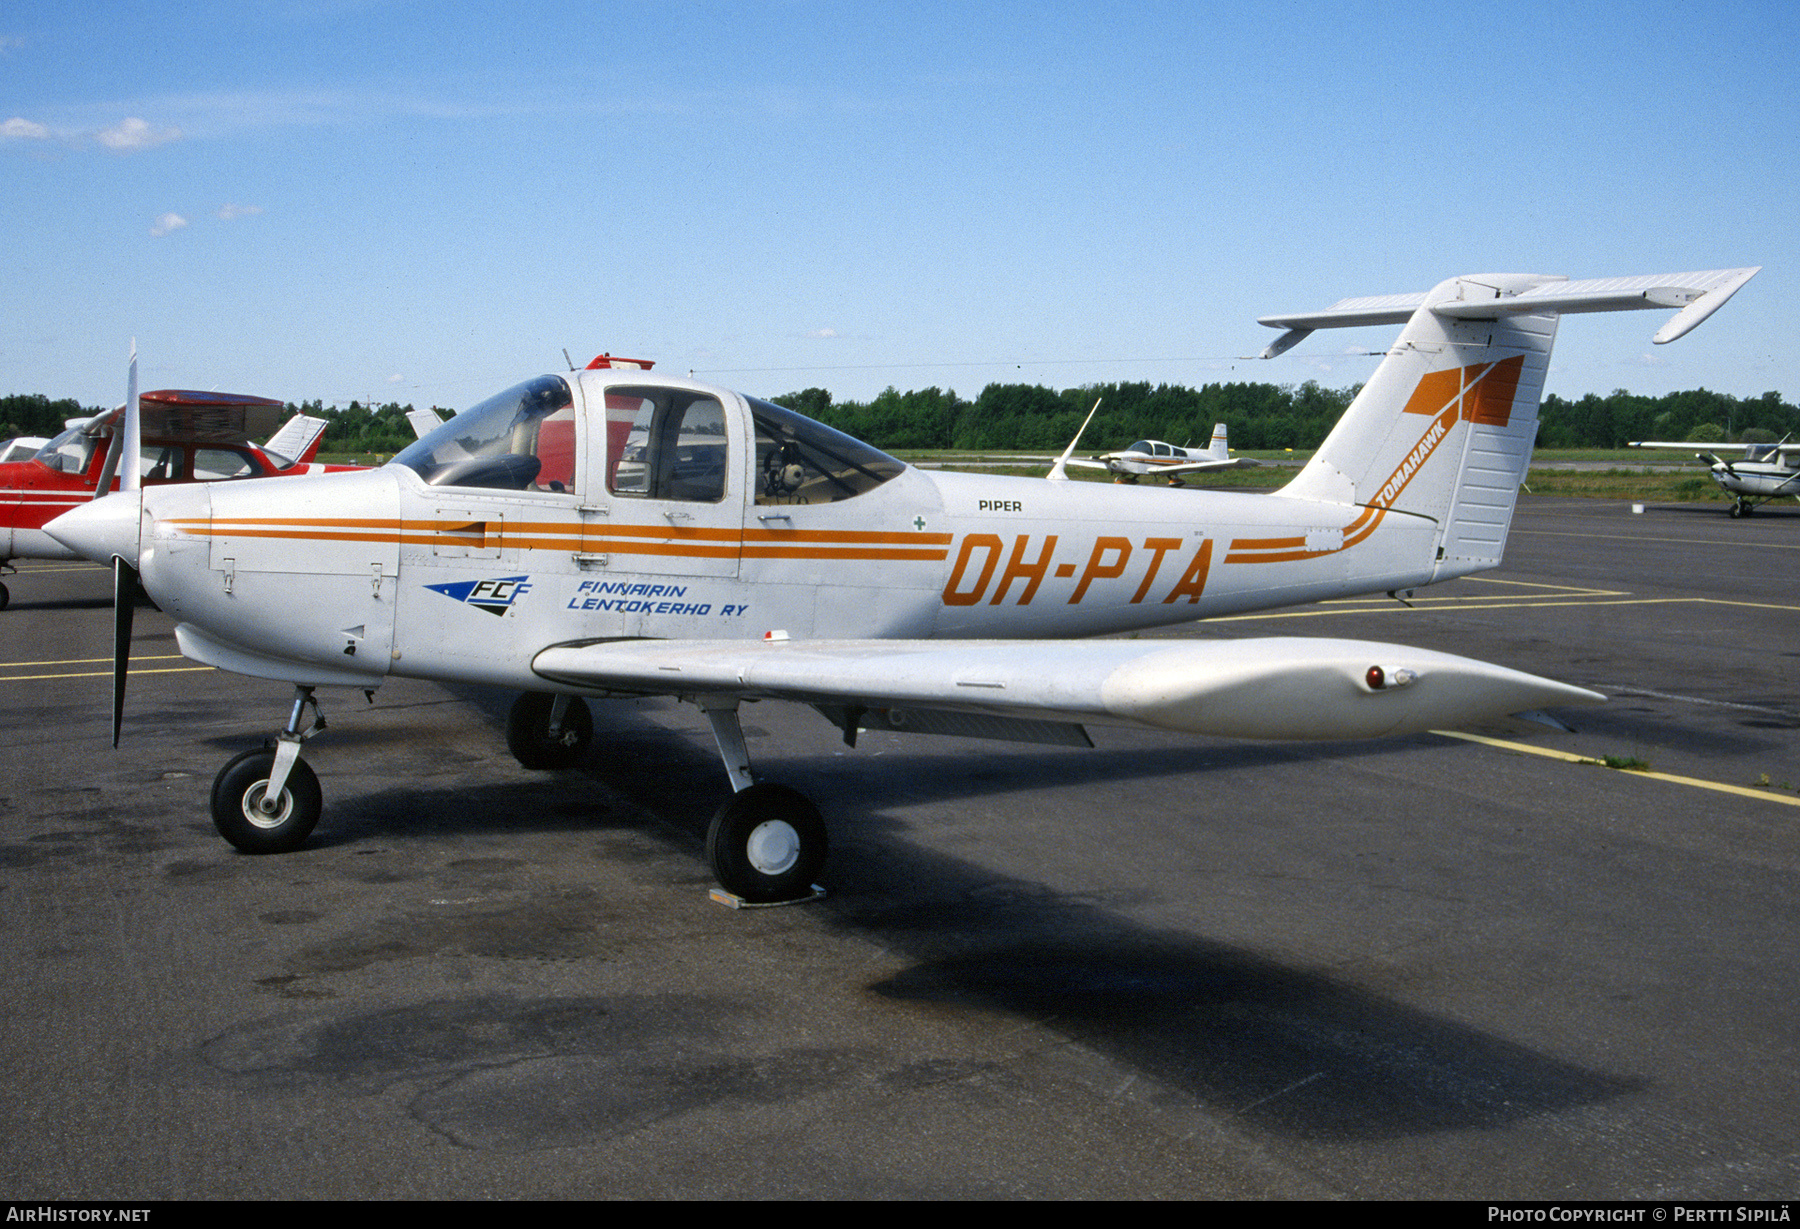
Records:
x=667, y=444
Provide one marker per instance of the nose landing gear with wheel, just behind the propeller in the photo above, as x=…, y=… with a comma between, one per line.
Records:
x=267, y=800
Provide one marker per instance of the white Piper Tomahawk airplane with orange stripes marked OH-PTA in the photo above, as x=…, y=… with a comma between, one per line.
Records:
x=615, y=534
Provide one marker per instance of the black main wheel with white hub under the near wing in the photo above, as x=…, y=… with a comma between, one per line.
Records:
x=768, y=843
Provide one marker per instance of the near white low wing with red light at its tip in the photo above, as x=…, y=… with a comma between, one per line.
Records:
x=1261, y=688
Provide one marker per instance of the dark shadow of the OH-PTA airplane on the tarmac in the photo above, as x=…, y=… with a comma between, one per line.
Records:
x=1284, y=1050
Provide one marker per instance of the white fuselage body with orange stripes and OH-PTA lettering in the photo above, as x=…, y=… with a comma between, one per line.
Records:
x=354, y=577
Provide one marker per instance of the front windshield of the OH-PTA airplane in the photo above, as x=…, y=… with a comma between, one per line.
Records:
x=521, y=440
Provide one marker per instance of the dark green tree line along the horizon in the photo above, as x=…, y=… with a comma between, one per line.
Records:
x=1034, y=418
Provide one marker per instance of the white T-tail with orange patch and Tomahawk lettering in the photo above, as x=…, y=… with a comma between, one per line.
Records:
x=1444, y=427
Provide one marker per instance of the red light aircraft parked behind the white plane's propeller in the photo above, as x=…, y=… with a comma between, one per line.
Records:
x=188, y=438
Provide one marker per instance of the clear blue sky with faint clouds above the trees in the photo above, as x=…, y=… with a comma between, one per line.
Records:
x=420, y=202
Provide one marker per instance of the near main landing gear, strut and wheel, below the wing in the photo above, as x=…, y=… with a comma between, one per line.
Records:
x=768, y=841
